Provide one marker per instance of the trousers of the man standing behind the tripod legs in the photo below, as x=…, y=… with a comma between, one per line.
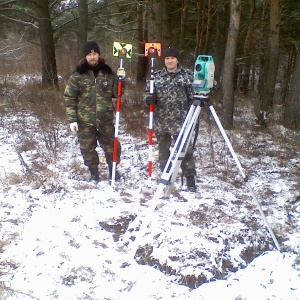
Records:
x=164, y=144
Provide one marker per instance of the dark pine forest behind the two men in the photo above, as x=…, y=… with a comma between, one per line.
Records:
x=254, y=43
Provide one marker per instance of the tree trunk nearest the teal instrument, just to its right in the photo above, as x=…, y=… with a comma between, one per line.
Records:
x=229, y=63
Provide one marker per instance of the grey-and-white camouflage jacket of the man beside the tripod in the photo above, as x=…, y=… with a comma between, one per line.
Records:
x=174, y=95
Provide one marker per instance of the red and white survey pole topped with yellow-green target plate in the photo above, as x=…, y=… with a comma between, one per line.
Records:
x=123, y=51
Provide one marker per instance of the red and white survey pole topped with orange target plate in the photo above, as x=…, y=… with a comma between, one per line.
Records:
x=151, y=50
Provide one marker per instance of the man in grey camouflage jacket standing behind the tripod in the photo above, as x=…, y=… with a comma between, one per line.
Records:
x=173, y=95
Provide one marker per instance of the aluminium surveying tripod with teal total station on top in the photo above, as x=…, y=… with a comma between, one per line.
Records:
x=203, y=82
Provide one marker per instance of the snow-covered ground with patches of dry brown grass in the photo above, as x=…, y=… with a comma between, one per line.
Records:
x=63, y=237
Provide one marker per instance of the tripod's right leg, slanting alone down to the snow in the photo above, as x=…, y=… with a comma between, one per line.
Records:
x=213, y=112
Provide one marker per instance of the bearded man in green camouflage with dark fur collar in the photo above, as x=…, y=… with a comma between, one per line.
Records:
x=89, y=107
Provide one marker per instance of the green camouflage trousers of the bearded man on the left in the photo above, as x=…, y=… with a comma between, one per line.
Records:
x=88, y=136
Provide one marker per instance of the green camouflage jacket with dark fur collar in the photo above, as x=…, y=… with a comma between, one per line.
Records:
x=88, y=99
